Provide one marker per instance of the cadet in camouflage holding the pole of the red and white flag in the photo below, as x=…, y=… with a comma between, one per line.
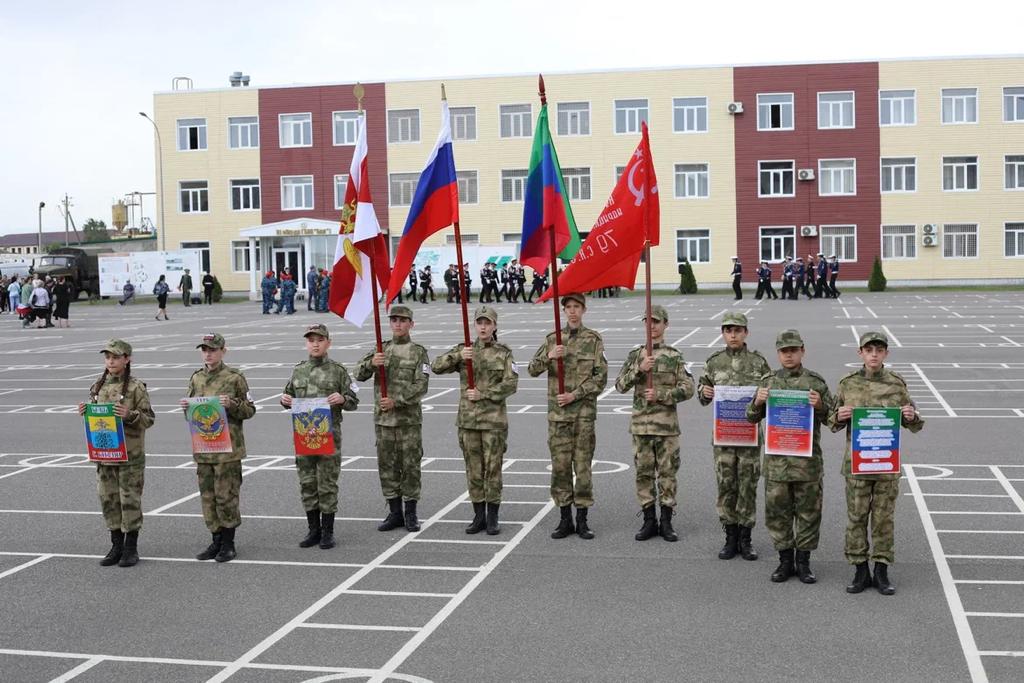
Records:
x=399, y=419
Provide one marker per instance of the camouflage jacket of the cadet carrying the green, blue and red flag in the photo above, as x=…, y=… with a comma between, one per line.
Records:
x=586, y=373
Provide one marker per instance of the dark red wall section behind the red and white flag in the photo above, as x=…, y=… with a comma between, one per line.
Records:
x=323, y=160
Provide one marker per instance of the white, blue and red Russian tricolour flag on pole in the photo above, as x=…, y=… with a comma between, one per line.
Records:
x=436, y=205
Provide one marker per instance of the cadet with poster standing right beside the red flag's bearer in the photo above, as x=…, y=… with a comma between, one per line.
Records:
x=737, y=469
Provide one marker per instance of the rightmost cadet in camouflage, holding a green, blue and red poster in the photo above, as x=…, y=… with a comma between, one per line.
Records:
x=872, y=496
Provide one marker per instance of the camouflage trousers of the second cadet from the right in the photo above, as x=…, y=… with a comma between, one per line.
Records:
x=793, y=514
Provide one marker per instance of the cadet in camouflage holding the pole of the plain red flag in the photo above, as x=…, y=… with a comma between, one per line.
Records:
x=656, y=424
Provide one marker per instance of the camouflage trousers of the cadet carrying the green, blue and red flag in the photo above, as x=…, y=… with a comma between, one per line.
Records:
x=572, y=447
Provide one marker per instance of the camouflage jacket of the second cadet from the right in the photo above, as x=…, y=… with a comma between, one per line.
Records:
x=795, y=468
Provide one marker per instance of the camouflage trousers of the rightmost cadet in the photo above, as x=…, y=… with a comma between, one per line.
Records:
x=875, y=499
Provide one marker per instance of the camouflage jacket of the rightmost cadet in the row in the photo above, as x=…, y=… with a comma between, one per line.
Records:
x=883, y=390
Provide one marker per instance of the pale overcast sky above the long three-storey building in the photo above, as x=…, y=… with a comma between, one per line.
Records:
x=77, y=73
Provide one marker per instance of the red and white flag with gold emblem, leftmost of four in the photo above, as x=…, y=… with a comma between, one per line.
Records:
x=360, y=243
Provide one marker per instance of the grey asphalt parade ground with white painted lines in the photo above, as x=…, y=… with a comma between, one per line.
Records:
x=441, y=606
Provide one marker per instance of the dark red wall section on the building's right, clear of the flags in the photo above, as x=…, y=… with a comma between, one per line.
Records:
x=806, y=145
